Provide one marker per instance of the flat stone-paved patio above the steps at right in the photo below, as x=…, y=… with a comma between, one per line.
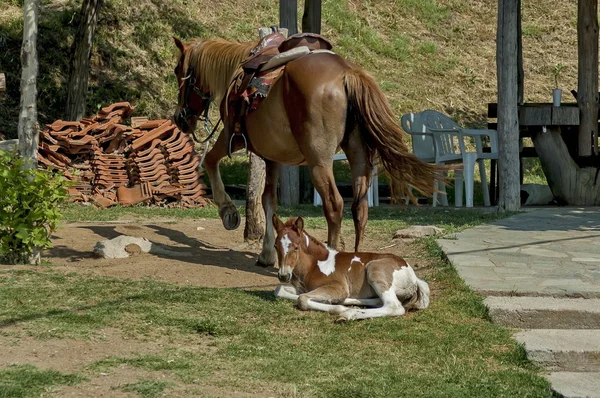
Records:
x=541, y=252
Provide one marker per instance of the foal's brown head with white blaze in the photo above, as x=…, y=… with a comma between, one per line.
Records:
x=288, y=243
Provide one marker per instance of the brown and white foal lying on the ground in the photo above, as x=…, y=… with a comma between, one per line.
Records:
x=324, y=280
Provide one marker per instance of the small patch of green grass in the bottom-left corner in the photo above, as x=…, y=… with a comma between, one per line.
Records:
x=28, y=381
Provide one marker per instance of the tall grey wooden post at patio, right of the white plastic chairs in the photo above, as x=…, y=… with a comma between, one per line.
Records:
x=508, y=124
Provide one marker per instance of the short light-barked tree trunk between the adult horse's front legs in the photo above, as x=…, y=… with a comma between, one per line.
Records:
x=255, y=215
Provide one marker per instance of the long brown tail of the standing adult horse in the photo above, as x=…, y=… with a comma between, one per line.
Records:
x=376, y=119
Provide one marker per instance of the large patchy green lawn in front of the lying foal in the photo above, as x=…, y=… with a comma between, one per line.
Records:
x=450, y=349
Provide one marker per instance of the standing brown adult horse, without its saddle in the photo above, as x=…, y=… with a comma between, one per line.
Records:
x=319, y=104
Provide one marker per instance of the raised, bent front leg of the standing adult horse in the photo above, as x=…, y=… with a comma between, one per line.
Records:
x=227, y=210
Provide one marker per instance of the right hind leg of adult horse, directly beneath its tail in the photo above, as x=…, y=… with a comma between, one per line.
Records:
x=360, y=159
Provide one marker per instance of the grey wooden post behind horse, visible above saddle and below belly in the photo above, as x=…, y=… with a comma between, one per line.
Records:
x=290, y=175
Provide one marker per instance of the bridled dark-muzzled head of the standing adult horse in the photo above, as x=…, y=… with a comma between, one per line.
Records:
x=193, y=98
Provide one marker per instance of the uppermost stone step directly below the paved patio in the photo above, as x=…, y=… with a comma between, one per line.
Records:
x=544, y=312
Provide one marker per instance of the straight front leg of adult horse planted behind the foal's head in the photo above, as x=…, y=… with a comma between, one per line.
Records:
x=268, y=256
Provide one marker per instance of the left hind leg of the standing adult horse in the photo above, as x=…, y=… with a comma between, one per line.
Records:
x=333, y=204
